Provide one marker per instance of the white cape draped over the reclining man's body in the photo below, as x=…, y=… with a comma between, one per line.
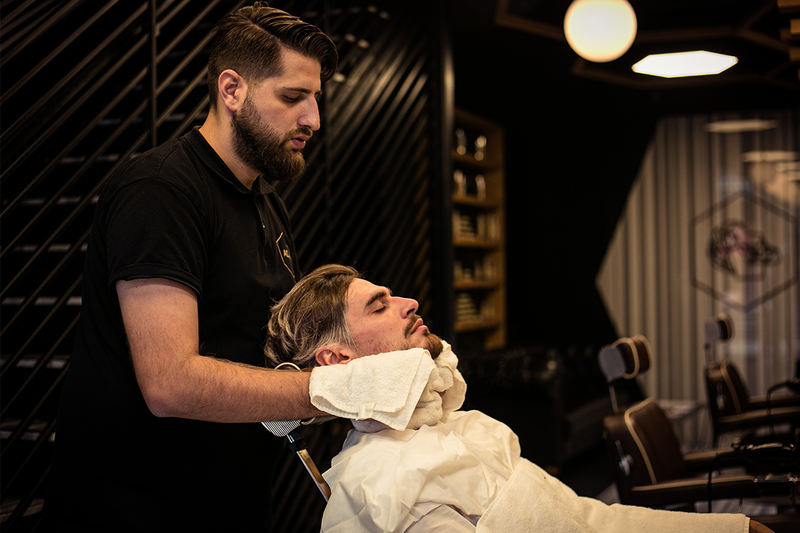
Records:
x=464, y=473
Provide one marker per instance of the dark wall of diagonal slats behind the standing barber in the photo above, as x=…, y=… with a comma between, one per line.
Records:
x=80, y=96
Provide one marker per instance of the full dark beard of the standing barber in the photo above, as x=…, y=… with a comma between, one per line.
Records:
x=260, y=147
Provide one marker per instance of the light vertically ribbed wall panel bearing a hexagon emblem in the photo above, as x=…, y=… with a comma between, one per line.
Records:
x=693, y=184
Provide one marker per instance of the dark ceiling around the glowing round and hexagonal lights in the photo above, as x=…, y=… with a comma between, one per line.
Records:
x=756, y=31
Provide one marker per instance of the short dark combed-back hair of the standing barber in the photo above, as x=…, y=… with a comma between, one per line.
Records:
x=249, y=41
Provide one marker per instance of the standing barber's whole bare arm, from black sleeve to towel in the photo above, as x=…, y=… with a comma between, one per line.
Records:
x=160, y=318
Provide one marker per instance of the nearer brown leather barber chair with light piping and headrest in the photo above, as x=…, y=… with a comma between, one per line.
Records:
x=645, y=453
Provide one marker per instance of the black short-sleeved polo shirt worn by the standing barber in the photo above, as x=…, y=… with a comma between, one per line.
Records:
x=176, y=212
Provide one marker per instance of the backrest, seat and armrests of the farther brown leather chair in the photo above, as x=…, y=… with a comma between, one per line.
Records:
x=732, y=409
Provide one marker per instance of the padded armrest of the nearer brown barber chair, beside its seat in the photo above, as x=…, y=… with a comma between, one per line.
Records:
x=693, y=490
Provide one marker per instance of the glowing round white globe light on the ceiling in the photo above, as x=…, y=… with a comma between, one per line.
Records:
x=600, y=30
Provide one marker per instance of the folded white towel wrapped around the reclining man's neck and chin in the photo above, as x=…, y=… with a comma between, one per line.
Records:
x=396, y=389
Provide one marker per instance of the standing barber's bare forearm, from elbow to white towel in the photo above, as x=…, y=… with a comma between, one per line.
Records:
x=216, y=390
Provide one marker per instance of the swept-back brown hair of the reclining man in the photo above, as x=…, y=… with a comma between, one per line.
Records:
x=310, y=316
